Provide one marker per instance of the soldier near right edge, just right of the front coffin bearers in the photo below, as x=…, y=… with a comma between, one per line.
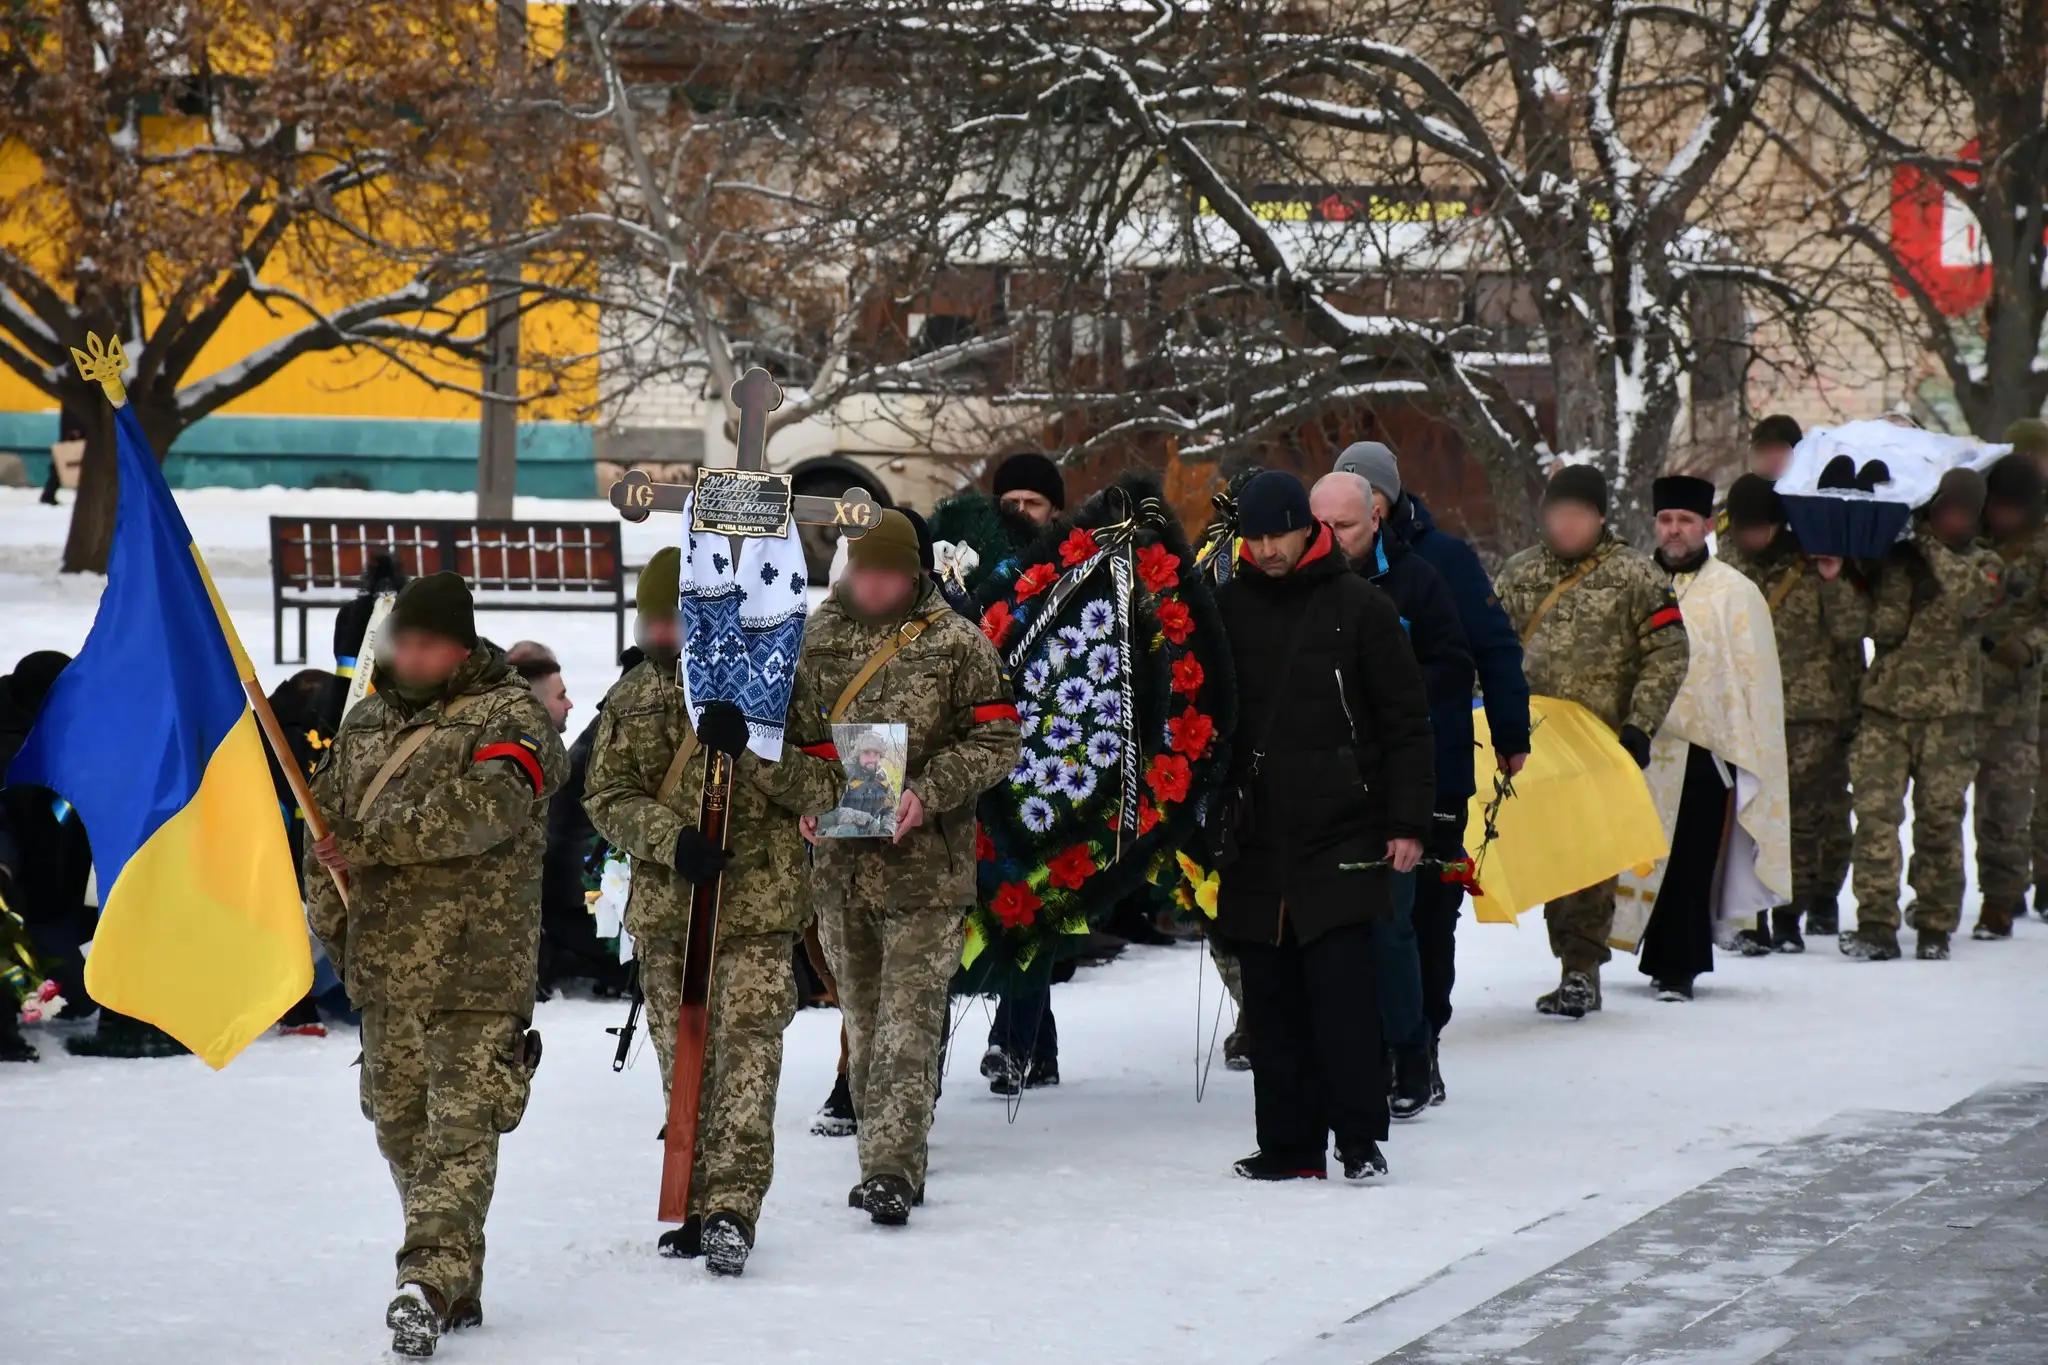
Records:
x=2014, y=642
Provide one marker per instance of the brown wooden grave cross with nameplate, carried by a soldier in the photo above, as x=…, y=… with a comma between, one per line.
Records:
x=765, y=504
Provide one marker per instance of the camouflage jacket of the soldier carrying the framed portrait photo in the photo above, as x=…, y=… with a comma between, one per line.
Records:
x=949, y=689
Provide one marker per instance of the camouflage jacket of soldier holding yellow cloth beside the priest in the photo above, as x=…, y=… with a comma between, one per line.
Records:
x=1613, y=644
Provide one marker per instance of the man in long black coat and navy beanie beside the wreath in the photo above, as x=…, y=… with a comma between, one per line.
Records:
x=1332, y=762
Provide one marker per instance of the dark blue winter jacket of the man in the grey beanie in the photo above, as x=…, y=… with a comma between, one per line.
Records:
x=1494, y=642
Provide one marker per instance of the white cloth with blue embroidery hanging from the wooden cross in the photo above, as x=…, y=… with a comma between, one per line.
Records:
x=742, y=627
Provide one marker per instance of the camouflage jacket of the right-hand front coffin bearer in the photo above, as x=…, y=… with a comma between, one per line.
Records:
x=1928, y=629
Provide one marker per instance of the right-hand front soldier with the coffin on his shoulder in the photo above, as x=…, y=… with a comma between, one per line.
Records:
x=1922, y=697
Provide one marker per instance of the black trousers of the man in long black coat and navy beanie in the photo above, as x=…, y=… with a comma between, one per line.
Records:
x=1314, y=1026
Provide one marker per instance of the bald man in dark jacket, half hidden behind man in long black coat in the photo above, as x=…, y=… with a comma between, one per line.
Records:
x=1431, y=621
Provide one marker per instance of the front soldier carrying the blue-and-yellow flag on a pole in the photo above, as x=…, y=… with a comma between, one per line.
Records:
x=441, y=932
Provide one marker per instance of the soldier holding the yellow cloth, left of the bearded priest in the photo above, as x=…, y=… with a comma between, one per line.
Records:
x=1598, y=627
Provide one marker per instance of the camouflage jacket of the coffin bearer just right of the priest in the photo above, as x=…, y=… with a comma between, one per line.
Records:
x=1820, y=629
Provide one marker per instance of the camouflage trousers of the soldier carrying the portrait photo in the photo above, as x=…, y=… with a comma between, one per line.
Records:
x=894, y=969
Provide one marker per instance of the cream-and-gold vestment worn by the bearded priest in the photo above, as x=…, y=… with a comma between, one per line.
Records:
x=1732, y=707
